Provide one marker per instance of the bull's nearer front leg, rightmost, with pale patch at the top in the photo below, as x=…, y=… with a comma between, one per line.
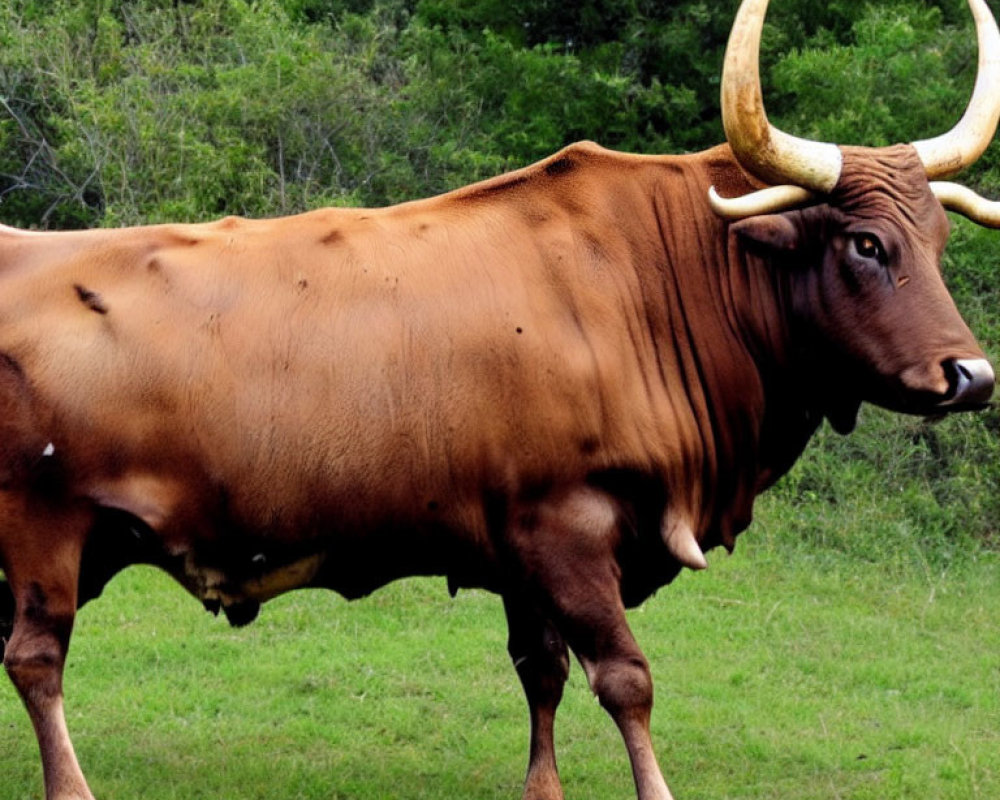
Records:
x=566, y=547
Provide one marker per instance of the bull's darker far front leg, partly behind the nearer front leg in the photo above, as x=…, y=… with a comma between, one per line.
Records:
x=542, y=663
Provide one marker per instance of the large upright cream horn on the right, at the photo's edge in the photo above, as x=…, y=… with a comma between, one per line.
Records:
x=946, y=154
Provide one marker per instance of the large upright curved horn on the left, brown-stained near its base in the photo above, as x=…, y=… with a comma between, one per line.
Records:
x=766, y=152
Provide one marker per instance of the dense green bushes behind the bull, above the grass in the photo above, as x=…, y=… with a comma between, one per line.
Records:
x=126, y=111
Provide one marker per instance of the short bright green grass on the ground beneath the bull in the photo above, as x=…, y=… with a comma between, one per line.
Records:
x=781, y=672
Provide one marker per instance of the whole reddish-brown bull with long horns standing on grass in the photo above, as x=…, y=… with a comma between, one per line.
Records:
x=564, y=385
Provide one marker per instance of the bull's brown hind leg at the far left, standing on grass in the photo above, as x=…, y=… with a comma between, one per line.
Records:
x=42, y=561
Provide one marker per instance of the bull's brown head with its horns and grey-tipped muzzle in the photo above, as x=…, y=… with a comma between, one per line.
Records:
x=872, y=285
